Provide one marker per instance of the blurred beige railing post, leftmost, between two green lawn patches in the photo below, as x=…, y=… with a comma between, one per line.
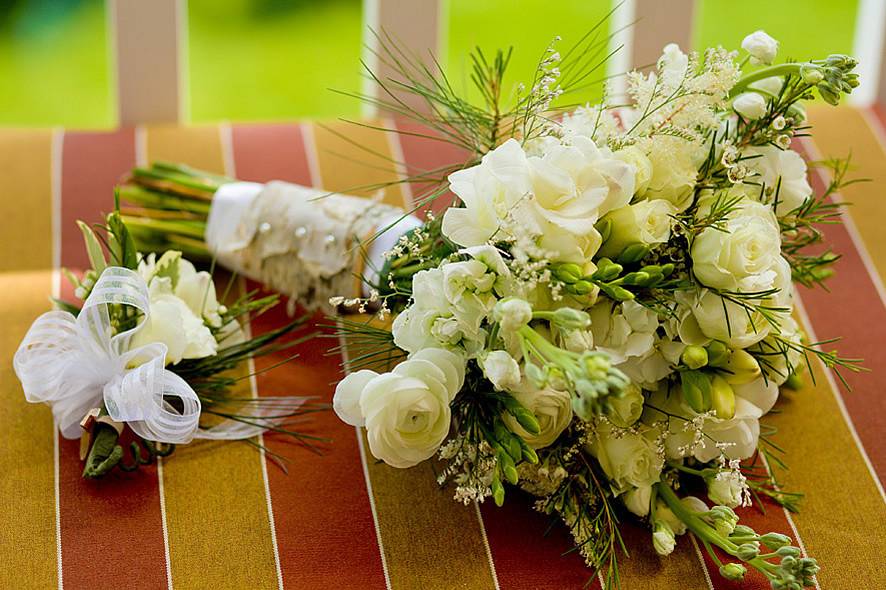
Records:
x=149, y=38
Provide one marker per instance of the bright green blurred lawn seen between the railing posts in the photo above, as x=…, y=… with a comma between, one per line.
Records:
x=277, y=59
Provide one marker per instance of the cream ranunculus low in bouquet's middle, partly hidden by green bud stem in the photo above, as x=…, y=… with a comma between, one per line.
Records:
x=552, y=409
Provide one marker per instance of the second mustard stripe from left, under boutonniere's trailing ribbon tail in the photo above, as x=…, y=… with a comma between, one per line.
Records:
x=216, y=511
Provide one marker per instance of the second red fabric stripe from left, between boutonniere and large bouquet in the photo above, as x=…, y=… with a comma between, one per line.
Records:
x=310, y=526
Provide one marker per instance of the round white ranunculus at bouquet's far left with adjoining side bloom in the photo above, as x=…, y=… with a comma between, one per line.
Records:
x=406, y=412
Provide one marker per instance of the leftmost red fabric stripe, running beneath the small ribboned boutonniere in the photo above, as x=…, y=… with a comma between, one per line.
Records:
x=111, y=529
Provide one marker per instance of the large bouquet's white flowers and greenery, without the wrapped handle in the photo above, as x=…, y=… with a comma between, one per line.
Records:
x=604, y=316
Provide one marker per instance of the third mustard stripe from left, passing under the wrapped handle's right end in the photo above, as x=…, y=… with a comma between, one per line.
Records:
x=429, y=540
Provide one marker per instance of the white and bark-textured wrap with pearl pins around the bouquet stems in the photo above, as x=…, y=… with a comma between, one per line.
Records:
x=301, y=241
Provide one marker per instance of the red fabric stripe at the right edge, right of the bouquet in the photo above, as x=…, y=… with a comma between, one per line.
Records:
x=852, y=310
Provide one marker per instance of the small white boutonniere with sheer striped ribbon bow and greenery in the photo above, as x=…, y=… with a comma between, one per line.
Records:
x=153, y=349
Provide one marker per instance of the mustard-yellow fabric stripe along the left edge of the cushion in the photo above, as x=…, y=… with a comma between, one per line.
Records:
x=28, y=543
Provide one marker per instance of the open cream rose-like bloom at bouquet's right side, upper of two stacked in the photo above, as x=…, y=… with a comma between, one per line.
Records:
x=744, y=256
